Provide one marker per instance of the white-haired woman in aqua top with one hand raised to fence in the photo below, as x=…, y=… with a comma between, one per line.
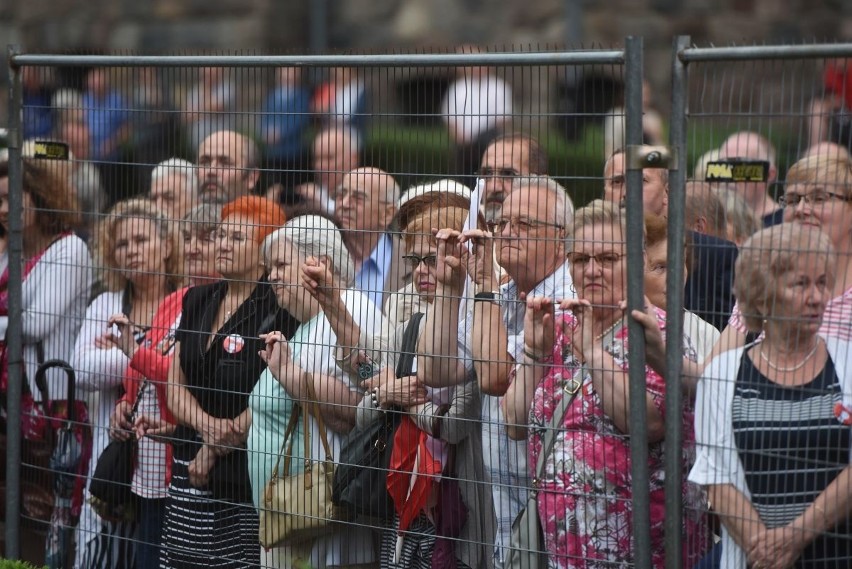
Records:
x=308, y=354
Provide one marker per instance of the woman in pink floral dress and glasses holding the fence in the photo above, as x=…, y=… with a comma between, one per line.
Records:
x=585, y=497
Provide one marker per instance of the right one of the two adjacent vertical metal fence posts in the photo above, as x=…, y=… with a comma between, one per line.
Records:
x=674, y=312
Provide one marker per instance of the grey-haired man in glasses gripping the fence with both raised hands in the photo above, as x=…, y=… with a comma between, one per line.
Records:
x=529, y=240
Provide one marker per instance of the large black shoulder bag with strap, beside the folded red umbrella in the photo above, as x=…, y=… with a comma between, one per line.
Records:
x=360, y=479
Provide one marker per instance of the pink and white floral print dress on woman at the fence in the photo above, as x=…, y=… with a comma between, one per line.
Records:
x=585, y=499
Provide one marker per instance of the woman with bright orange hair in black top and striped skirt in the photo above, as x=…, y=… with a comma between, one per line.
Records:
x=210, y=520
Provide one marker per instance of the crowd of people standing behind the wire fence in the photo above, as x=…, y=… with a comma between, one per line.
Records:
x=201, y=316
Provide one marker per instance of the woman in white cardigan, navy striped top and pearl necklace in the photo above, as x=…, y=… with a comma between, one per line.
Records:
x=773, y=418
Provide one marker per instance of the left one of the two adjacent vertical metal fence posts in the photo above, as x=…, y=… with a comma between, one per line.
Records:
x=635, y=300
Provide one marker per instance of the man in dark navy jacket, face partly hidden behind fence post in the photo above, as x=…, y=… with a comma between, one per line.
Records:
x=709, y=291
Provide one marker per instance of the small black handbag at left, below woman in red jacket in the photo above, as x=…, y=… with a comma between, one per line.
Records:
x=109, y=489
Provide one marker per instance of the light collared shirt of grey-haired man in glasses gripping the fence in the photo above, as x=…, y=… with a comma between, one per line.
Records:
x=506, y=459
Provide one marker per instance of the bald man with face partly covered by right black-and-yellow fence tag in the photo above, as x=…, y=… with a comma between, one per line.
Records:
x=752, y=146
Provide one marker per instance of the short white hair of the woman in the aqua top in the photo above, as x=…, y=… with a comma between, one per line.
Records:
x=314, y=236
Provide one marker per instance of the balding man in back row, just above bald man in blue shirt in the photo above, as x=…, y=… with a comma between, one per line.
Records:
x=335, y=152
